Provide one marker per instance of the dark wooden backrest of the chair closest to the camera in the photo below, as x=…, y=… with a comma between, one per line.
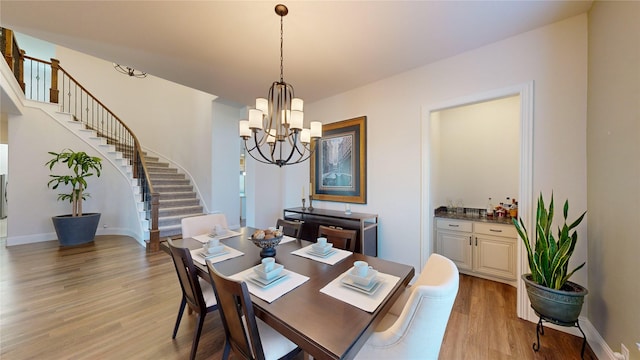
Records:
x=236, y=313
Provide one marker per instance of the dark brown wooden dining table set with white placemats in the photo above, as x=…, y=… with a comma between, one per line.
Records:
x=322, y=325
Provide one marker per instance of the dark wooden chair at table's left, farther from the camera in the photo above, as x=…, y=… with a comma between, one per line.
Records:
x=196, y=292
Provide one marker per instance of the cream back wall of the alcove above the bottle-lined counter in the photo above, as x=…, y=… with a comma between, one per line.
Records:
x=478, y=153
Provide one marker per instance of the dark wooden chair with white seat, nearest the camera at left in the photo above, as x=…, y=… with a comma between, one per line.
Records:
x=247, y=336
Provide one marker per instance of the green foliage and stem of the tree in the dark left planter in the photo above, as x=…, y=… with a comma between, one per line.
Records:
x=82, y=165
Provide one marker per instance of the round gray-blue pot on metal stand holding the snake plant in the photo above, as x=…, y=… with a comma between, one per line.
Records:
x=560, y=306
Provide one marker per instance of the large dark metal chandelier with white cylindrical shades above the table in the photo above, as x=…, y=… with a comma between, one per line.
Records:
x=276, y=123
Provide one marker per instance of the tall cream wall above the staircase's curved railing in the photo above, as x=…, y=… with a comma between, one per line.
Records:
x=169, y=119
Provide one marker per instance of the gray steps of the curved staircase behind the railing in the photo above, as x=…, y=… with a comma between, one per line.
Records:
x=177, y=198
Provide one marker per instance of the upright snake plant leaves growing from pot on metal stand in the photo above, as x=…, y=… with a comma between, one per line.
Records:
x=550, y=260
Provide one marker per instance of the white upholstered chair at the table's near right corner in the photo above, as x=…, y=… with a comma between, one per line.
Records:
x=415, y=329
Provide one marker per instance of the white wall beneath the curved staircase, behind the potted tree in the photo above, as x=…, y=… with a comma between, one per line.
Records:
x=32, y=203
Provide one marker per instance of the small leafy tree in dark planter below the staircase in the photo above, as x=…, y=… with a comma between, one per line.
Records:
x=75, y=228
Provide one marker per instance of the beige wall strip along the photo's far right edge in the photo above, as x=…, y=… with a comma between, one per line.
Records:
x=614, y=170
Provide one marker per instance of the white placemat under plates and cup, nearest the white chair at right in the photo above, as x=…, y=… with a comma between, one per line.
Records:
x=359, y=299
